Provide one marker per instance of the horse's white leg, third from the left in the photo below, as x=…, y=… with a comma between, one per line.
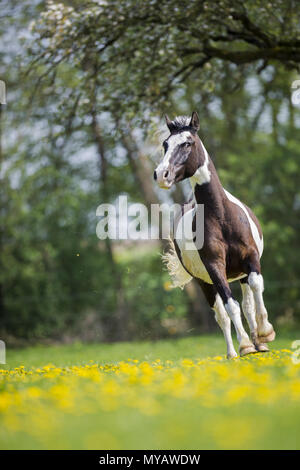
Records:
x=249, y=310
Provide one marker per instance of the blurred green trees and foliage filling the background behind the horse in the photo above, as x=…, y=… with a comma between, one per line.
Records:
x=87, y=85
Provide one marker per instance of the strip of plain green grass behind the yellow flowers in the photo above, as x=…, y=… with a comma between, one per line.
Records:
x=174, y=350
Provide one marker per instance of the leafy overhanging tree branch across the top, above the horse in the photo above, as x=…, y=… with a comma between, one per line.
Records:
x=145, y=50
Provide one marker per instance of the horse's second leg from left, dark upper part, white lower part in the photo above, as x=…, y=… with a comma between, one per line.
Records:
x=217, y=273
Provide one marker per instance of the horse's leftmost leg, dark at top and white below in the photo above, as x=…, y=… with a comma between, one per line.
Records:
x=221, y=315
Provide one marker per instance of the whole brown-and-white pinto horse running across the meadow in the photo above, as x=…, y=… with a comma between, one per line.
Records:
x=233, y=240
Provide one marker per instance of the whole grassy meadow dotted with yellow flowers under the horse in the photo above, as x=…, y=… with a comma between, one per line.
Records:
x=171, y=394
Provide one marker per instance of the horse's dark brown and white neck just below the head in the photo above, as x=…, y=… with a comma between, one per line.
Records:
x=209, y=191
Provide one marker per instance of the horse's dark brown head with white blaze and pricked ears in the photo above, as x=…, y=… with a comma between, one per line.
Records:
x=183, y=151
